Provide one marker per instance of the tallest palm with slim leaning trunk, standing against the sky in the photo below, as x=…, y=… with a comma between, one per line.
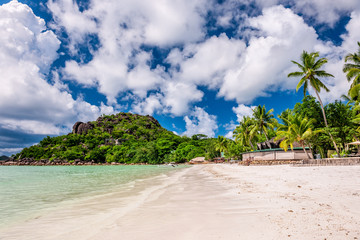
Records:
x=310, y=73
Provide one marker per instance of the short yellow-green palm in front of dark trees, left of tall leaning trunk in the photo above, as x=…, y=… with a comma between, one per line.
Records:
x=296, y=128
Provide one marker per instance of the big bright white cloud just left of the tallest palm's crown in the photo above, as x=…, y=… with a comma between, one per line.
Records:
x=266, y=62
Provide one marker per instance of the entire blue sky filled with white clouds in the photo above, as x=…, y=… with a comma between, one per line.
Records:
x=198, y=66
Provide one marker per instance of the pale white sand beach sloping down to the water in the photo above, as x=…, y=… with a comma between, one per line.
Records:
x=215, y=202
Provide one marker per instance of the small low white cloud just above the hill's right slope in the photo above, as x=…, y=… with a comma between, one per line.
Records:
x=200, y=122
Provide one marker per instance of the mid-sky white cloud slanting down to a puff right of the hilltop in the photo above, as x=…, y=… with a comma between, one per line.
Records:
x=202, y=64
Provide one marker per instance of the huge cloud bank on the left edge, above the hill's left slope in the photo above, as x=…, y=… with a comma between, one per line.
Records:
x=28, y=103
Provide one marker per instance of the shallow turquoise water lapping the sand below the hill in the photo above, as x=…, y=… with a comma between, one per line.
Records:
x=25, y=190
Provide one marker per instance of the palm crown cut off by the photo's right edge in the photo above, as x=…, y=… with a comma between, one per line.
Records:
x=352, y=69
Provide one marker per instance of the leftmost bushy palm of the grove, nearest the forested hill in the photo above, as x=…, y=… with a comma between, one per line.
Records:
x=242, y=132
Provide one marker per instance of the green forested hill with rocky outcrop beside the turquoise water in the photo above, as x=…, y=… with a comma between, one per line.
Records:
x=122, y=138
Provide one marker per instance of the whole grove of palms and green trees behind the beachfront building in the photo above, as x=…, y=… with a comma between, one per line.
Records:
x=322, y=129
